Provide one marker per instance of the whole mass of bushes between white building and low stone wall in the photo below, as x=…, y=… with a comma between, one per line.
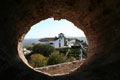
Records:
x=44, y=54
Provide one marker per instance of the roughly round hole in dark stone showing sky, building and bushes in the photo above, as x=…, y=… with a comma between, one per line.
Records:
x=55, y=46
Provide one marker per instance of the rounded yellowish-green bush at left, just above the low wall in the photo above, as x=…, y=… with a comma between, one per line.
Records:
x=38, y=60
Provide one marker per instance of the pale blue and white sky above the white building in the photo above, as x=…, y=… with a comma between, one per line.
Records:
x=51, y=28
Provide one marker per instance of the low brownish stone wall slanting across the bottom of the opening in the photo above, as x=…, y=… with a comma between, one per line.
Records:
x=61, y=69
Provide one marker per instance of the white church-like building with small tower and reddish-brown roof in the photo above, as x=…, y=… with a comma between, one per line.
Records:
x=55, y=42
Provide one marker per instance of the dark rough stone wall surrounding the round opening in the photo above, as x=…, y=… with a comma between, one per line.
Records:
x=99, y=19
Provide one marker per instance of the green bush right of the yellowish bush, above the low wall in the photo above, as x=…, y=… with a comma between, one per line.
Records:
x=56, y=58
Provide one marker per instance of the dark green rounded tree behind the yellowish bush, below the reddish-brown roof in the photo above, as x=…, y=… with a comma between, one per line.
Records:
x=44, y=49
